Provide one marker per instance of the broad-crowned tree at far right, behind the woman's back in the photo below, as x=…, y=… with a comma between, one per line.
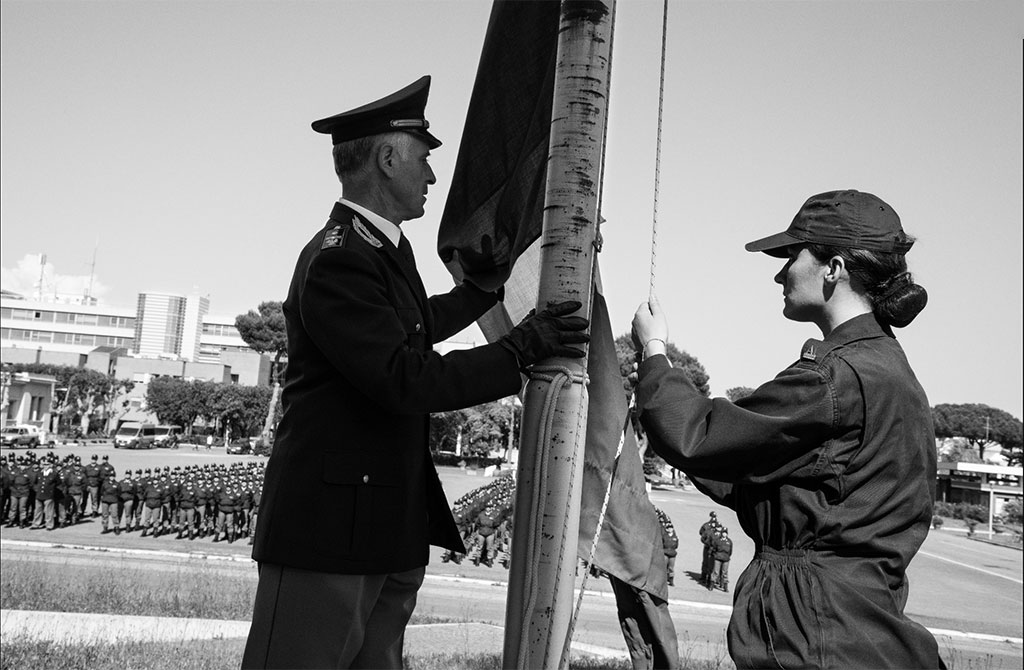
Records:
x=980, y=426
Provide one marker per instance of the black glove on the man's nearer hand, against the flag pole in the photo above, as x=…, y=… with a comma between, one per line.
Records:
x=547, y=336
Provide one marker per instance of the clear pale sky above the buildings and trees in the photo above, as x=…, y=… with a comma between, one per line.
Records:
x=166, y=147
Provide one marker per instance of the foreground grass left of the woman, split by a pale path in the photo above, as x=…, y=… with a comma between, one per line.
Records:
x=193, y=591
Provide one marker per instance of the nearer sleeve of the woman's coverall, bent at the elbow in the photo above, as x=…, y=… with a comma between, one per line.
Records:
x=754, y=441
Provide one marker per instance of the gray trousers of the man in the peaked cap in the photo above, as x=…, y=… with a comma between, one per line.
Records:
x=306, y=619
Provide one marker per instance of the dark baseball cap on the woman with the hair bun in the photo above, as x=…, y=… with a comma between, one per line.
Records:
x=850, y=220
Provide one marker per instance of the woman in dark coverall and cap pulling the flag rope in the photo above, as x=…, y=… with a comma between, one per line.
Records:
x=831, y=466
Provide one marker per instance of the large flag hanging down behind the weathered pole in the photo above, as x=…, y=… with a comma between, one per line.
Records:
x=491, y=232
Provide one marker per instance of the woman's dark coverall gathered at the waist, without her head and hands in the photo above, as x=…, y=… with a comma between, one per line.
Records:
x=831, y=469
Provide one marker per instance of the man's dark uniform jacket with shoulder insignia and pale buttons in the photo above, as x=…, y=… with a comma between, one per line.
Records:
x=352, y=457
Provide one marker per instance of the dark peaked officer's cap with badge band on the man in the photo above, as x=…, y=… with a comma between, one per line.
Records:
x=402, y=111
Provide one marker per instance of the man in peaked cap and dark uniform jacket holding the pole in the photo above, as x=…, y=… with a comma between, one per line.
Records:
x=361, y=383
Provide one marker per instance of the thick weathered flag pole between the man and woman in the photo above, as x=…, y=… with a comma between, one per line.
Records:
x=542, y=572
